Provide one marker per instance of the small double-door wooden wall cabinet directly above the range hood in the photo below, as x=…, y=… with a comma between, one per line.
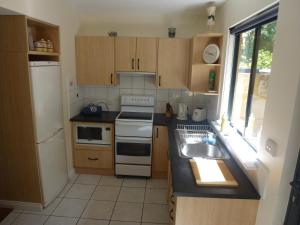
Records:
x=136, y=54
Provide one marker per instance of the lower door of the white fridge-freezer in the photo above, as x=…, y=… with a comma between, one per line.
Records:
x=53, y=169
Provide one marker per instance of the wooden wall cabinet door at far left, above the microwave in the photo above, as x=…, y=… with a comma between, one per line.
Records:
x=95, y=60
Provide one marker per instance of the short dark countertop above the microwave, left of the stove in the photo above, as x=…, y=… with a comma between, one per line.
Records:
x=105, y=117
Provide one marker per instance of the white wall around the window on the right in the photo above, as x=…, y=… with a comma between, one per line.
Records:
x=282, y=122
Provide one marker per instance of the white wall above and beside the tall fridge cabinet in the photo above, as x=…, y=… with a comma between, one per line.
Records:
x=61, y=13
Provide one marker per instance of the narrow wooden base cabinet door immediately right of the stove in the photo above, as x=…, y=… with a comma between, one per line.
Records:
x=160, y=152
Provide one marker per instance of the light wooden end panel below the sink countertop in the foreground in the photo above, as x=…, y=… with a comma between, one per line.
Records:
x=215, y=211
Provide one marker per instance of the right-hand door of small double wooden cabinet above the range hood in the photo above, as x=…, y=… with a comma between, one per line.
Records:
x=146, y=55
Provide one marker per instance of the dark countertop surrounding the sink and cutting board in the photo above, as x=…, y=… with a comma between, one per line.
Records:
x=184, y=182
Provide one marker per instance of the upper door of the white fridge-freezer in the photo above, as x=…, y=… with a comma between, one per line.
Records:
x=47, y=102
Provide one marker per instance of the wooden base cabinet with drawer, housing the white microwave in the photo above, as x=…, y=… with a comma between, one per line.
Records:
x=94, y=159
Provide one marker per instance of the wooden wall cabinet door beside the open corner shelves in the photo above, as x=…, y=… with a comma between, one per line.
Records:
x=173, y=62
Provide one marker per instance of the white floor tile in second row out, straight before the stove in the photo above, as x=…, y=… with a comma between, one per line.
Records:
x=132, y=195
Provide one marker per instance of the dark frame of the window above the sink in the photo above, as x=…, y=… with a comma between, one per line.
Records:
x=256, y=22
